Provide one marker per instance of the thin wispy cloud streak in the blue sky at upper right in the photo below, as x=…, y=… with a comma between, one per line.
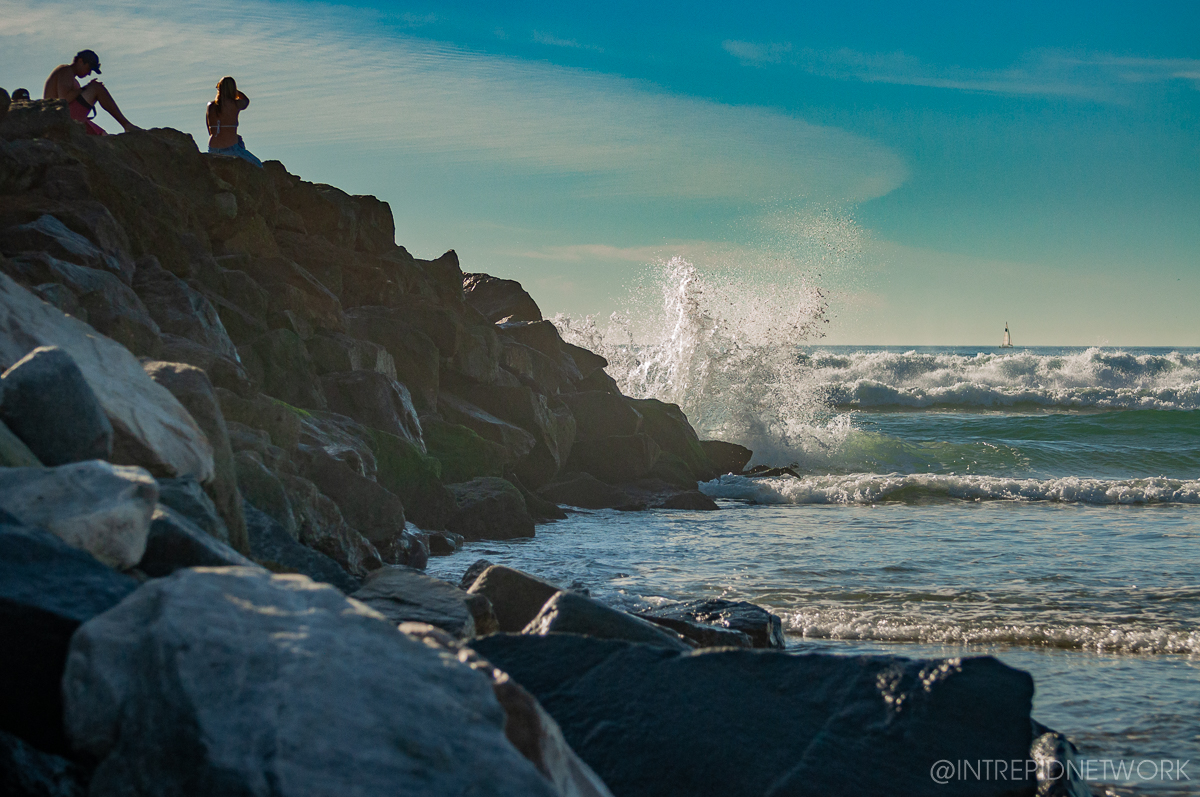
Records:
x=1099, y=77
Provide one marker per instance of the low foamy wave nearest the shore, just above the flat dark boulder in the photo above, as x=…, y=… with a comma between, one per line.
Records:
x=841, y=625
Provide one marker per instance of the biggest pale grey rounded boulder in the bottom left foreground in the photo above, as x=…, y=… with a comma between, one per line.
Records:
x=224, y=682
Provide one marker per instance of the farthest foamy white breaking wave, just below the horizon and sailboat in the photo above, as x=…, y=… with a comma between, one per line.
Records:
x=1094, y=379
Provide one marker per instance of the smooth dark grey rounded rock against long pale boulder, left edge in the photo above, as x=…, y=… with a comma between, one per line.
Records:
x=47, y=404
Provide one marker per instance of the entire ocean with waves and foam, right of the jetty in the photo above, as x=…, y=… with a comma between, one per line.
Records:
x=1036, y=505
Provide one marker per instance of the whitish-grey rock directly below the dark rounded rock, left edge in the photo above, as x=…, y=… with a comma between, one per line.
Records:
x=97, y=507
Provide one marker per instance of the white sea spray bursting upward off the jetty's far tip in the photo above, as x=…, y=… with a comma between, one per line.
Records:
x=728, y=353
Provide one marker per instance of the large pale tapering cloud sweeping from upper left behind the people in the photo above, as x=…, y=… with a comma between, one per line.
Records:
x=343, y=79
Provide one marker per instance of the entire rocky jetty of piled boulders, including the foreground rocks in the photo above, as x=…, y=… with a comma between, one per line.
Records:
x=237, y=420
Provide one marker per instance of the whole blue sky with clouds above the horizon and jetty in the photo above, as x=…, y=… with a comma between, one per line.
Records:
x=935, y=171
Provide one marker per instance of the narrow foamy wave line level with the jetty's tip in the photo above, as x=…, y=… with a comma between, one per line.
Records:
x=872, y=488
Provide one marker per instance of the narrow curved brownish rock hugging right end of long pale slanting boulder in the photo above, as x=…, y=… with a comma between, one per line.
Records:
x=193, y=388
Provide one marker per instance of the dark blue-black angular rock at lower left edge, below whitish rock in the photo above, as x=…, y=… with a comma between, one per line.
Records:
x=47, y=590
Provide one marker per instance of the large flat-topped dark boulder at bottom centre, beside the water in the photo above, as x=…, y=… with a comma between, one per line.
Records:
x=655, y=722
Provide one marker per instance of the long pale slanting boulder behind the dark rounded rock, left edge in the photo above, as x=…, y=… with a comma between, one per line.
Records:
x=152, y=428
